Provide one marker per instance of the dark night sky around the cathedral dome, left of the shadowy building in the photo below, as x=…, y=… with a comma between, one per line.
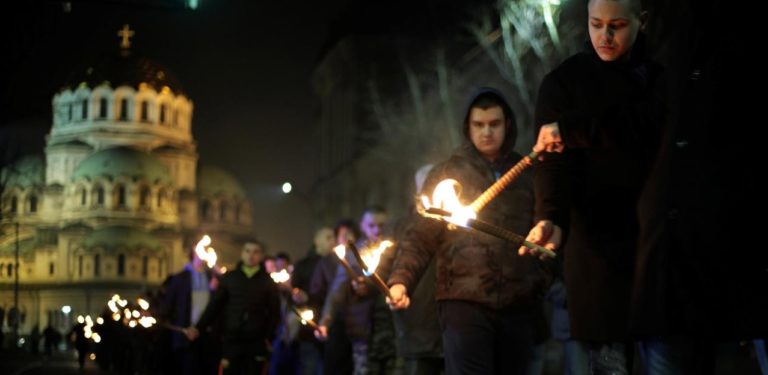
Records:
x=245, y=64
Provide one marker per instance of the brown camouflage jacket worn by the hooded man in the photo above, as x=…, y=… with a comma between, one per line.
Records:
x=474, y=266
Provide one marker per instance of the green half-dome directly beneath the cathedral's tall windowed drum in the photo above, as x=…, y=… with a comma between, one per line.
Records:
x=122, y=162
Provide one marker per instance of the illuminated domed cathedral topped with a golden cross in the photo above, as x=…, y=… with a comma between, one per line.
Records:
x=116, y=200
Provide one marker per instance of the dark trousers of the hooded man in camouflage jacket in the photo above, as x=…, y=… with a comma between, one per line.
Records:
x=479, y=340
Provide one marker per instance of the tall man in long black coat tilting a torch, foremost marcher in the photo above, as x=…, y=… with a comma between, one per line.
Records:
x=600, y=114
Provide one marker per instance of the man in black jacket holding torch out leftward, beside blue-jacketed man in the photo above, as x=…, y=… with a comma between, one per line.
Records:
x=250, y=303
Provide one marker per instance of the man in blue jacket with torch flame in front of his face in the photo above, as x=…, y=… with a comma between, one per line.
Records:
x=186, y=296
